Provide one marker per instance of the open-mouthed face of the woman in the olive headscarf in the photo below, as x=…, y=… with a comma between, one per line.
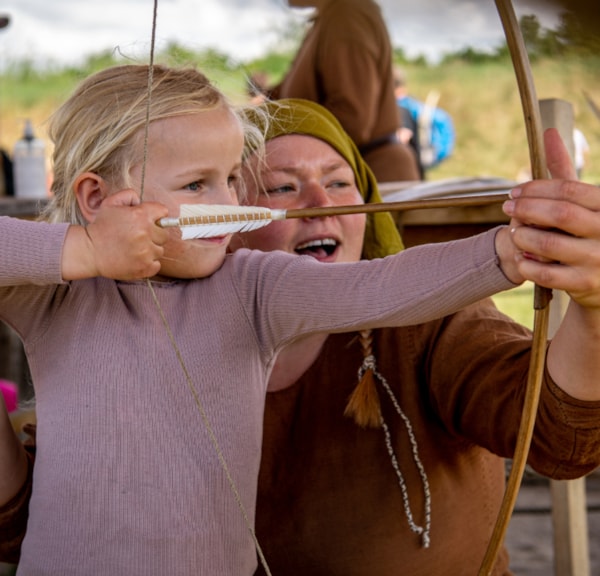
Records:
x=301, y=172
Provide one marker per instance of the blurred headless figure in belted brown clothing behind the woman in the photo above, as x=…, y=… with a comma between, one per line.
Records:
x=344, y=63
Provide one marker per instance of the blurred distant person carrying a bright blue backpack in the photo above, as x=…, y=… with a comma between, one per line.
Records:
x=424, y=126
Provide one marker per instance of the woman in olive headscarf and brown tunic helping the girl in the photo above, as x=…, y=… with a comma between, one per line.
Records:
x=330, y=500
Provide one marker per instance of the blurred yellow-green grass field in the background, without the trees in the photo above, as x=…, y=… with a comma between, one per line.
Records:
x=482, y=98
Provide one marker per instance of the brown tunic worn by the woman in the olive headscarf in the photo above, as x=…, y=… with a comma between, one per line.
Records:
x=329, y=502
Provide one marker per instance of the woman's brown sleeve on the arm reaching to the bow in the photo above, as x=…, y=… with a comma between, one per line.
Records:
x=478, y=368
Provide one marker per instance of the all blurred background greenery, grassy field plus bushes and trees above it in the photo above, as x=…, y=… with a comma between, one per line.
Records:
x=477, y=88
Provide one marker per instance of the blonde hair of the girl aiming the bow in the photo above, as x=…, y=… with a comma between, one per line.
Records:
x=100, y=128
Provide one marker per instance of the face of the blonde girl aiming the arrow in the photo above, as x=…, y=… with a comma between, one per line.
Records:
x=193, y=159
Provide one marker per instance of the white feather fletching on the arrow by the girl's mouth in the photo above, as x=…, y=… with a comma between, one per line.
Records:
x=212, y=220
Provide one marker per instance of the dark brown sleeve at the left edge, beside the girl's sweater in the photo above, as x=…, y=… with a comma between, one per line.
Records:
x=14, y=515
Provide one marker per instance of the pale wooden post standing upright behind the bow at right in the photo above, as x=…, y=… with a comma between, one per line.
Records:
x=569, y=512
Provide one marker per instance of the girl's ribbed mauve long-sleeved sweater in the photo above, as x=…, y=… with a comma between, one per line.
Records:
x=126, y=479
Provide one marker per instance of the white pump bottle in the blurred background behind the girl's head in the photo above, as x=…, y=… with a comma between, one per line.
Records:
x=29, y=165
